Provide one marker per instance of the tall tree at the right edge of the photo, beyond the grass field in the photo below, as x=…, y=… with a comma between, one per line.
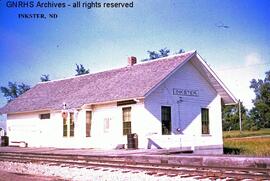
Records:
x=260, y=113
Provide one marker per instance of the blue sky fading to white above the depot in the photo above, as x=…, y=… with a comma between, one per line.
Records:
x=232, y=37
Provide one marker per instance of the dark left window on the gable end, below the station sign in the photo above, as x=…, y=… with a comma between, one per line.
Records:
x=166, y=120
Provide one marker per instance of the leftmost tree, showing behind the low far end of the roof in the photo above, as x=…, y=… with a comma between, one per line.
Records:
x=14, y=90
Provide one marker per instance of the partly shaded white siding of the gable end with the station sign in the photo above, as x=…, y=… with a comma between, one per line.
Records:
x=186, y=115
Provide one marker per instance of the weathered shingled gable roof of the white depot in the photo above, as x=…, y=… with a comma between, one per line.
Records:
x=125, y=83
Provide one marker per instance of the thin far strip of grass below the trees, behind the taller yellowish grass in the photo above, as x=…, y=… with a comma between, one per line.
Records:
x=237, y=134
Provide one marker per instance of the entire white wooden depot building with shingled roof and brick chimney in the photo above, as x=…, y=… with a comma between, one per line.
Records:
x=171, y=102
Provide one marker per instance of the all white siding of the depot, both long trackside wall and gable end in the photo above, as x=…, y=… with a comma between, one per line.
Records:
x=145, y=119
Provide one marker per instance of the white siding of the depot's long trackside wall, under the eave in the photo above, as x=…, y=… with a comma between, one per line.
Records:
x=38, y=132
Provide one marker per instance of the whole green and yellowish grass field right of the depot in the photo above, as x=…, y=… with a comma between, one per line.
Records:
x=252, y=143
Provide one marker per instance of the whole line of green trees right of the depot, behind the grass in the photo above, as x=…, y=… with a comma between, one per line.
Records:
x=259, y=116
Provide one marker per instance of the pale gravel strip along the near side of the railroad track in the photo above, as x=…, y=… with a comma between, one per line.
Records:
x=83, y=173
